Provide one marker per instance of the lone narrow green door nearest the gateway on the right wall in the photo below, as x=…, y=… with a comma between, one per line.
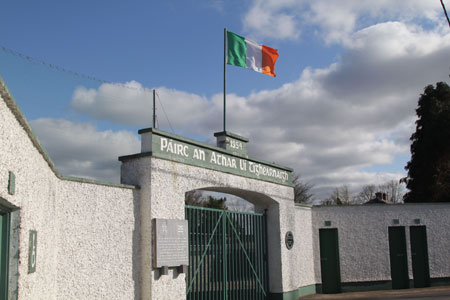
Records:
x=329, y=261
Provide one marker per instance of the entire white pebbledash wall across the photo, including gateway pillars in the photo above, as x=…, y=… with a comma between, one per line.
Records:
x=94, y=239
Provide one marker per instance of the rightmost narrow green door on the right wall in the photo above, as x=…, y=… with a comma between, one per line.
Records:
x=419, y=254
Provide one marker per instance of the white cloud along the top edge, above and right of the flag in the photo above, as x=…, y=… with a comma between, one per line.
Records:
x=335, y=20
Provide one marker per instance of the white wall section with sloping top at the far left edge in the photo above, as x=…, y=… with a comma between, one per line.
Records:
x=34, y=195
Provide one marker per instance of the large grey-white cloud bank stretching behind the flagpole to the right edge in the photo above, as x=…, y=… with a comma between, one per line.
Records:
x=330, y=124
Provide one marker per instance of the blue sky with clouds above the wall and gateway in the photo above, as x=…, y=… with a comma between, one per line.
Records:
x=340, y=111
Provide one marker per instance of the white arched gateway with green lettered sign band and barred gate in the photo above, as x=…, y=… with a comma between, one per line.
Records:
x=168, y=167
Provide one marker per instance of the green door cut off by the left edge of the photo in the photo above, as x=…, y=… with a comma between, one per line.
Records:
x=4, y=239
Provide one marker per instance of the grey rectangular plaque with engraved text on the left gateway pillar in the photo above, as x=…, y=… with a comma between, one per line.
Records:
x=170, y=243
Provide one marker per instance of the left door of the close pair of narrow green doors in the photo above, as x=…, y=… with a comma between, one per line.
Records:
x=398, y=258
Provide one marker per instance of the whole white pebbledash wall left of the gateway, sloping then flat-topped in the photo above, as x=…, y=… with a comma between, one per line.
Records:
x=86, y=234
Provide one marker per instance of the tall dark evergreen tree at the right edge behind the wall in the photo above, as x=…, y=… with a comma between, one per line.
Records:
x=428, y=177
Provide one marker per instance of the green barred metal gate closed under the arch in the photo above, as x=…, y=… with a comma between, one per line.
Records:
x=227, y=255
